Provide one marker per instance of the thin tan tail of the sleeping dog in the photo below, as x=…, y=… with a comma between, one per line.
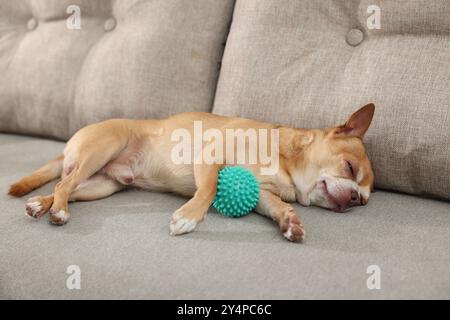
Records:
x=48, y=172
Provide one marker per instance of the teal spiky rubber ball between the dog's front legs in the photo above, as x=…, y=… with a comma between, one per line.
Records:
x=237, y=192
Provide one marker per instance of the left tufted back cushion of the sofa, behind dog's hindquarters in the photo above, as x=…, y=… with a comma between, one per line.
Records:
x=133, y=58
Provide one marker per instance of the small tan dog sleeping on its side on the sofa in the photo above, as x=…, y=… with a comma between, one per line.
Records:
x=324, y=167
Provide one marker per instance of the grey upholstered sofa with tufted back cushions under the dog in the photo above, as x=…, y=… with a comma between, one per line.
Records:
x=303, y=63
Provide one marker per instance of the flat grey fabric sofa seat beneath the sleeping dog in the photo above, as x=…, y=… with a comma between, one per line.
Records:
x=123, y=248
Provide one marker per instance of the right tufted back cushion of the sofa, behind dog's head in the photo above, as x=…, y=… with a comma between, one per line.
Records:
x=304, y=64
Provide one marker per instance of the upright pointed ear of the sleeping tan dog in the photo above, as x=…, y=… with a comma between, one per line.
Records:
x=358, y=123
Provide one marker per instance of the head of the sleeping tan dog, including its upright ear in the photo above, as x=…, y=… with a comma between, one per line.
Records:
x=333, y=170
